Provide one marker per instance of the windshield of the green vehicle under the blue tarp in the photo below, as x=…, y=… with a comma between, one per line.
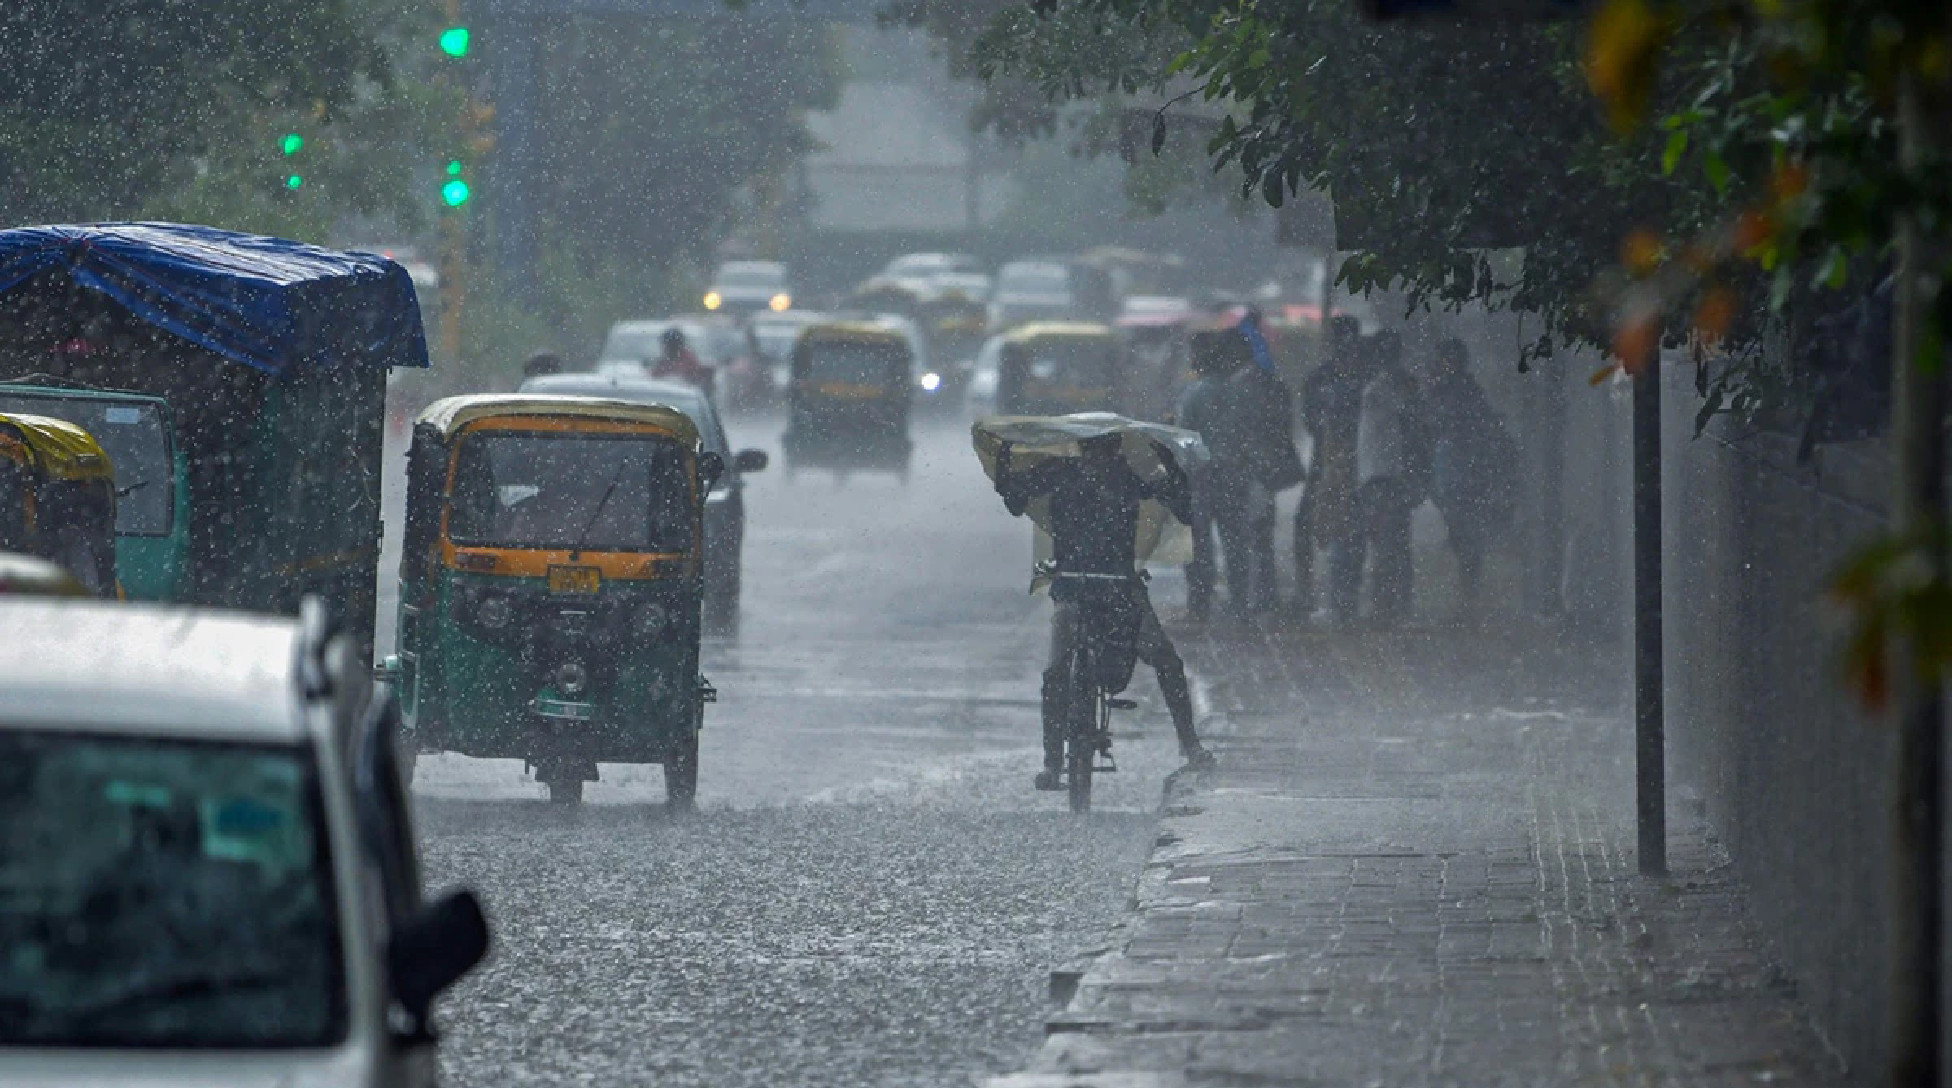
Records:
x=138, y=446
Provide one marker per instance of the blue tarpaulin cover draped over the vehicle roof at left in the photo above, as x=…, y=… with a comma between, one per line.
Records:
x=266, y=304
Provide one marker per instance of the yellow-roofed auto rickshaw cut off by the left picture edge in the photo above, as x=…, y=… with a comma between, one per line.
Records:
x=58, y=499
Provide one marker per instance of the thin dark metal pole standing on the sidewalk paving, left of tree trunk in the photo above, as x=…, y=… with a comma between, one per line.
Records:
x=1650, y=726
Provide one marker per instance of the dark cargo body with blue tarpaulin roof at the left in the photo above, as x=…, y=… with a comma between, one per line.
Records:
x=266, y=360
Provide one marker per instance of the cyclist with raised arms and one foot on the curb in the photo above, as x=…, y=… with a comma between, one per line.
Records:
x=1094, y=519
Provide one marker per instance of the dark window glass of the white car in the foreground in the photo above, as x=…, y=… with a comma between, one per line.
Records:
x=165, y=896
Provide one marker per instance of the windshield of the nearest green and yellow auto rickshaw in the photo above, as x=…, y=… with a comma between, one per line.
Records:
x=555, y=491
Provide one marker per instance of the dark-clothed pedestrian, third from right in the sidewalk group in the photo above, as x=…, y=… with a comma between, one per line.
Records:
x=1332, y=401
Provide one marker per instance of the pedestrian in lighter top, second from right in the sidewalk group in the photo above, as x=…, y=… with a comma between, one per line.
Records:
x=1393, y=480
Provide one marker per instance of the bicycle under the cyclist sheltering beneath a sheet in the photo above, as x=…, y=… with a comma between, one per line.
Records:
x=1096, y=669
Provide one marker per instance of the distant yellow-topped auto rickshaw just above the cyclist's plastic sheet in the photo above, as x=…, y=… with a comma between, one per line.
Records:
x=1055, y=368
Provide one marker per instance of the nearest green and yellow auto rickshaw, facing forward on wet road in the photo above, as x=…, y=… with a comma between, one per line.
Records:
x=551, y=587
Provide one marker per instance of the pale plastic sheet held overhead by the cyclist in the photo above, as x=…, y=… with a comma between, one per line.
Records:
x=1160, y=538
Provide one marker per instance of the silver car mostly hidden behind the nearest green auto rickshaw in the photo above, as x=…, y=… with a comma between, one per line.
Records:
x=725, y=507
